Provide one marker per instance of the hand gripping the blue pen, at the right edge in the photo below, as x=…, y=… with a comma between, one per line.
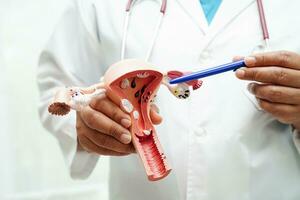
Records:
x=277, y=83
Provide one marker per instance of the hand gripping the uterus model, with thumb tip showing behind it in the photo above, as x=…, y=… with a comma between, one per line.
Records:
x=102, y=128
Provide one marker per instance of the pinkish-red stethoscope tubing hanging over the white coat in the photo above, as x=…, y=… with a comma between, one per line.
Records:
x=130, y=5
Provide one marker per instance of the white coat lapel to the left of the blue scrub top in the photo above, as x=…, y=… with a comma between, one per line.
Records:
x=194, y=11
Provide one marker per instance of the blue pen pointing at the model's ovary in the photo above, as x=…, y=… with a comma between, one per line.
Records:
x=210, y=72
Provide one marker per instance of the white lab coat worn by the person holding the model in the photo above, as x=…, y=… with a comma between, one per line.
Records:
x=219, y=143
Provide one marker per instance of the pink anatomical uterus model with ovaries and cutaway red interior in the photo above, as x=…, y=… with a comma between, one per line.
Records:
x=133, y=85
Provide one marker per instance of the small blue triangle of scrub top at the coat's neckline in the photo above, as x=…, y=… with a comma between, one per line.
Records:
x=210, y=8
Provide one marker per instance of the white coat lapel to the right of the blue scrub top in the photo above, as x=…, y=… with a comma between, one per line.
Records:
x=228, y=11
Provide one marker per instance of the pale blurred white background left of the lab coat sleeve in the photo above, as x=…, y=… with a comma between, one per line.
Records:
x=31, y=164
